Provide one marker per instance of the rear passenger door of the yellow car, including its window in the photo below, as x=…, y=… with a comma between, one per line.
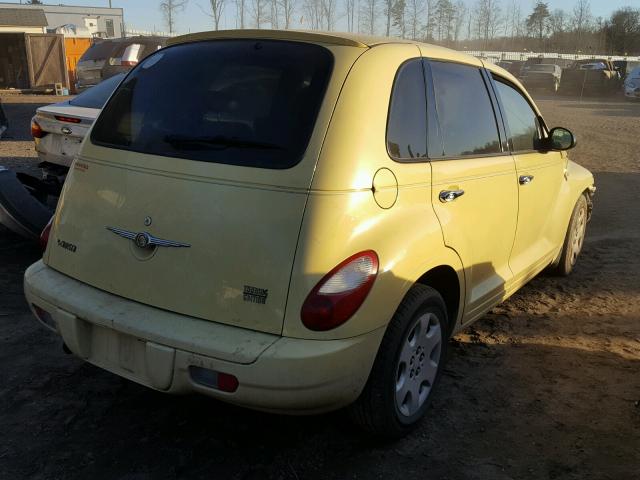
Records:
x=473, y=192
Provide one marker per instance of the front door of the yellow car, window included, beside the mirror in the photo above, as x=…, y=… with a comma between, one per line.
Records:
x=539, y=177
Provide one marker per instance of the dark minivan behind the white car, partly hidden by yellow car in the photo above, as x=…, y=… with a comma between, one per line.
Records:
x=109, y=57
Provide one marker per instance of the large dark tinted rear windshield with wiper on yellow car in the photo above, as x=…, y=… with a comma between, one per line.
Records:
x=240, y=102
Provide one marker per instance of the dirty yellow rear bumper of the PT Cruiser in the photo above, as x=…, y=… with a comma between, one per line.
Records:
x=156, y=348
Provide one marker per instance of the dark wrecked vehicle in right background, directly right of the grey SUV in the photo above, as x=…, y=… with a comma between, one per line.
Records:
x=590, y=77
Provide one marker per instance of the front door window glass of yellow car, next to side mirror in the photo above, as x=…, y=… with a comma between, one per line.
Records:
x=522, y=121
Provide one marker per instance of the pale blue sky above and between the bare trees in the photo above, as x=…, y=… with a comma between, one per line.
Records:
x=145, y=14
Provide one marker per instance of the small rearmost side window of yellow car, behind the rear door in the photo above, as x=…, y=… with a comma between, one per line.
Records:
x=407, y=123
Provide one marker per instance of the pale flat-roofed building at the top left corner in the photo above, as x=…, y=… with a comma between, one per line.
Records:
x=101, y=22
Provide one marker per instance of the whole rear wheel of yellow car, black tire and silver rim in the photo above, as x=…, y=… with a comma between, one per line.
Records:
x=407, y=368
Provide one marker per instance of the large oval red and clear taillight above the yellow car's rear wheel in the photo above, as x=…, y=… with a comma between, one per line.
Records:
x=340, y=293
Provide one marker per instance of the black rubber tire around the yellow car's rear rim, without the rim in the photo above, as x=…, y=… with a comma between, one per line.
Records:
x=376, y=410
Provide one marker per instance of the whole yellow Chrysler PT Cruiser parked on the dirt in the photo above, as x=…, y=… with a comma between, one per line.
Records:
x=296, y=222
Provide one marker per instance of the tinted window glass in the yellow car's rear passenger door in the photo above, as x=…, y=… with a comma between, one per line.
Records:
x=467, y=120
